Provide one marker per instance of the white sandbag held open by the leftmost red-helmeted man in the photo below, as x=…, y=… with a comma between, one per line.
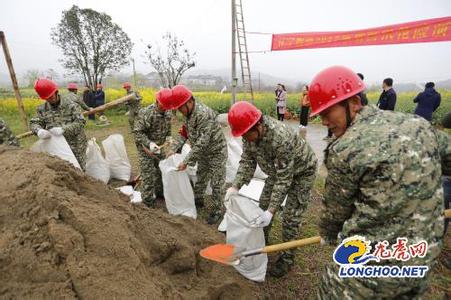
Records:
x=57, y=146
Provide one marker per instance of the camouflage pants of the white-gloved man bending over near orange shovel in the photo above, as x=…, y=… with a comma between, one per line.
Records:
x=298, y=198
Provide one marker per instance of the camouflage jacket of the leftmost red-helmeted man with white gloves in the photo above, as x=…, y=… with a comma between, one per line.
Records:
x=65, y=114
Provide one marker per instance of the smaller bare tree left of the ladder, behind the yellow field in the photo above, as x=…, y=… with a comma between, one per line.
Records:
x=170, y=67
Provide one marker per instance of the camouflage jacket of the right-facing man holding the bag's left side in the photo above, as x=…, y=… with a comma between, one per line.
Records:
x=152, y=126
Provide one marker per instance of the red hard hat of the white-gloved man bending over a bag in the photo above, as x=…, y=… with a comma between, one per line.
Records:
x=242, y=117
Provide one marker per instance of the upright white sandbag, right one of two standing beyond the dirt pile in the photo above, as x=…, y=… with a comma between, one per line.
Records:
x=116, y=156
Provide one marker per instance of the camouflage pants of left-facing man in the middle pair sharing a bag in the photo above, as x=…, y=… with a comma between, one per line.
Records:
x=213, y=169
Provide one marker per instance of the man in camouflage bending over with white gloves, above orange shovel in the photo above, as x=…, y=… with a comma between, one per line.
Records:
x=290, y=164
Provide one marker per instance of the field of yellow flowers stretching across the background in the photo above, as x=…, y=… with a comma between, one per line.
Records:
x=221, y=102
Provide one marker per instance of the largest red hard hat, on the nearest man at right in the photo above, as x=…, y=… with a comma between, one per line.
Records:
x=331, y=86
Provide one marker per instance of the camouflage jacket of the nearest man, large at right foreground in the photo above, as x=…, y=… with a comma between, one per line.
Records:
x=384, y=179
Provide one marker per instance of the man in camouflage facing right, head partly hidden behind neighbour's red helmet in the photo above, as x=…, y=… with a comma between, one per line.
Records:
x=152, y=130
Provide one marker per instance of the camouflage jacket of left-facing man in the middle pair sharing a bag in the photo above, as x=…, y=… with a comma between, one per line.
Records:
x=204, y=134
